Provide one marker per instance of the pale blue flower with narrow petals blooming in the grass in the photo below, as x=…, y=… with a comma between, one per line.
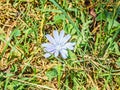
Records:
x=58, y=44
